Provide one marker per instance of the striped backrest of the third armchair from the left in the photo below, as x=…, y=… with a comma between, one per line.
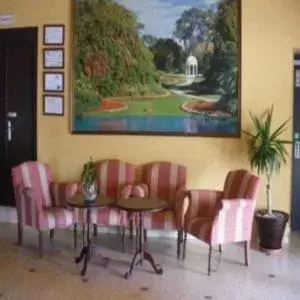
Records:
x=163, y=180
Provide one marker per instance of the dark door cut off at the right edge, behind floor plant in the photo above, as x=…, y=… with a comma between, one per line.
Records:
x=295, y=207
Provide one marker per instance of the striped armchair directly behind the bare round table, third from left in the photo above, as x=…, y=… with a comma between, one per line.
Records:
x=167, y=181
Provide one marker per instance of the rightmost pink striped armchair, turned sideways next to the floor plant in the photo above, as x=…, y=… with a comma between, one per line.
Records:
x=223, y=217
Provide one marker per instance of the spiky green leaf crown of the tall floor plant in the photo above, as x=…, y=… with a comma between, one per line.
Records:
x=267, y=152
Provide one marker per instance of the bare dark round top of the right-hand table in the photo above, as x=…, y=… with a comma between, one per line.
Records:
x=137, y=204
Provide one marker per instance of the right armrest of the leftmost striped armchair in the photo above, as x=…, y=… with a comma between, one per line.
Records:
x=61, y=191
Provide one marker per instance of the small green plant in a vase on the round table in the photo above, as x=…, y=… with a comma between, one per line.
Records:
x=88, y=180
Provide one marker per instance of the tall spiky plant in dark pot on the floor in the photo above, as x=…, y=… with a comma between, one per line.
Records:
x=267, y=153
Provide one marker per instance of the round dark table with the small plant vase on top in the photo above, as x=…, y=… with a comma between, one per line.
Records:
x=79, y=201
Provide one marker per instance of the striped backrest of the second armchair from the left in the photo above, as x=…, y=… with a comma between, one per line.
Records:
x=113, y=175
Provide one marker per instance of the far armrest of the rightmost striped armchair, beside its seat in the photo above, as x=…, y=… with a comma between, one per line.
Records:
x=203, y=203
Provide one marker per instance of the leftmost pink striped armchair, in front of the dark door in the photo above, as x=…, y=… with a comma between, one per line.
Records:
x=41, y=202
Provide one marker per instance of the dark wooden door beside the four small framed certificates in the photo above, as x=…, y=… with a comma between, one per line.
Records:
x=18, y=82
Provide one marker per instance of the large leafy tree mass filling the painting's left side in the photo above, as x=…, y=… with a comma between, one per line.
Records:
x=111, y=59
